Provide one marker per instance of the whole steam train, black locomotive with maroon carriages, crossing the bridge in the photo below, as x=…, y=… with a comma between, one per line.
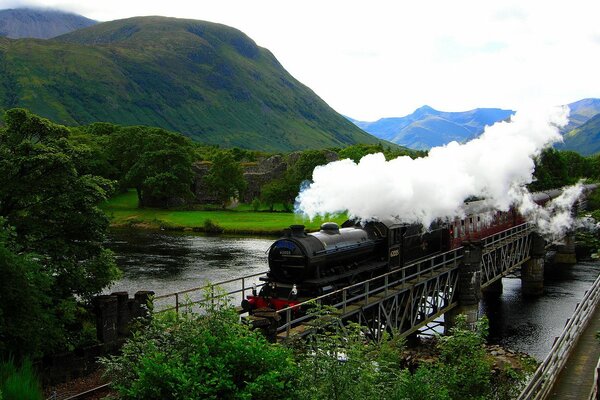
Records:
x=306, y=265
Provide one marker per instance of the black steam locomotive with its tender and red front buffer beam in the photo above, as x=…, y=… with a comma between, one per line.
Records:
x=304, y=265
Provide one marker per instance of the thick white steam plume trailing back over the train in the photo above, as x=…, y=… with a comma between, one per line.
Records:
x=495, y=166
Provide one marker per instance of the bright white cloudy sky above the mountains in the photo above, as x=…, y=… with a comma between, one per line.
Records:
x=378, y=58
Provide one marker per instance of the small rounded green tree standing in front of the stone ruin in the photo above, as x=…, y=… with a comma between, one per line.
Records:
x=225, y=178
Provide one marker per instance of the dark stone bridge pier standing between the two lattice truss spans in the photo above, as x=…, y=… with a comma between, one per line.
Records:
x=469, y=287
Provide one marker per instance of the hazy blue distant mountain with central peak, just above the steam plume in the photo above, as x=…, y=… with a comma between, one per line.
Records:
x=426, y=127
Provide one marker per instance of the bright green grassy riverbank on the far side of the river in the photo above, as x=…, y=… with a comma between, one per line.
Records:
x=124, y=212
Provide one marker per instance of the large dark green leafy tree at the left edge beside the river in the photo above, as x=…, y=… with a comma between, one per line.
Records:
x=54, y=211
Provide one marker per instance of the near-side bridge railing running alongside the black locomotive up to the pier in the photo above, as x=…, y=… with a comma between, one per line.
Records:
x=361, y=293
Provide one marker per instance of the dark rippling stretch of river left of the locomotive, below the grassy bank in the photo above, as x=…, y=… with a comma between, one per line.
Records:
x=168, y=262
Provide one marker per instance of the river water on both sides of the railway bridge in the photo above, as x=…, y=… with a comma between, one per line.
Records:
x=171, y=262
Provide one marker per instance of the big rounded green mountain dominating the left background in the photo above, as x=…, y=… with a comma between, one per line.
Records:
x=206, y=80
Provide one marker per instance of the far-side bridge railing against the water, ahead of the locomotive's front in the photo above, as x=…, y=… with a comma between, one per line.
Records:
x=194, y=295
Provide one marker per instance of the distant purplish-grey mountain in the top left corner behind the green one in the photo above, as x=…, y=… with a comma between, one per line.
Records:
x=38, y=23
